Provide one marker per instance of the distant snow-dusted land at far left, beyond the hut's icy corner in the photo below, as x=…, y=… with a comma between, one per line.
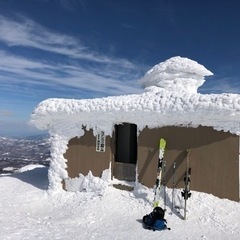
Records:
x=18, y=152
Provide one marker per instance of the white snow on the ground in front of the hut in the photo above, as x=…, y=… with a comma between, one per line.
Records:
x=29, y=211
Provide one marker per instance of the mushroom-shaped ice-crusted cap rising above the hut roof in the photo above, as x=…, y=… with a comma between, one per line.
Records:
x=176, y=74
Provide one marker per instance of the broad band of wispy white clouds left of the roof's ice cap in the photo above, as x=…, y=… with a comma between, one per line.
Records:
x=80, y=68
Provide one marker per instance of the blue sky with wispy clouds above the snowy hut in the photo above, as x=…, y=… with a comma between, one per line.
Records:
x=96, y=48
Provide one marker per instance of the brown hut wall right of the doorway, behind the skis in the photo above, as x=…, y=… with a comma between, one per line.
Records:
x=214, y=159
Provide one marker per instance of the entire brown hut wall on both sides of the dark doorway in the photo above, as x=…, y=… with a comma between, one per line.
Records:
x=214, y=158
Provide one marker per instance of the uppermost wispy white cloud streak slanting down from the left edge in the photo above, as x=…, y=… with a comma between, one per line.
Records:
x=27, y=33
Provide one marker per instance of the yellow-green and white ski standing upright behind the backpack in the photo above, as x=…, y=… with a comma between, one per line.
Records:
x=162, y=147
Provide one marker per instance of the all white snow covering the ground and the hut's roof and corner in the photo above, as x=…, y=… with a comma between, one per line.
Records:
x=34, y=206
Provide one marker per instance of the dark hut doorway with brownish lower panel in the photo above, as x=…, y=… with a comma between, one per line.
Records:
x=126, y=152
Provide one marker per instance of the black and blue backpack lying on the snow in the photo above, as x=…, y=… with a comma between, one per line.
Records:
x=155, y=220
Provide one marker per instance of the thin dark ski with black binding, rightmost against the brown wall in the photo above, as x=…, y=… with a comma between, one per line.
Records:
x=186, y=192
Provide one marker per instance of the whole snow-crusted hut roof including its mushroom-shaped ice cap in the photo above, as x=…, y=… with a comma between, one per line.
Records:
x=170, y=98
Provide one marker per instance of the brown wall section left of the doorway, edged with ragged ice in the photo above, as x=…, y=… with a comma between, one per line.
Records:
x=82, y=156
